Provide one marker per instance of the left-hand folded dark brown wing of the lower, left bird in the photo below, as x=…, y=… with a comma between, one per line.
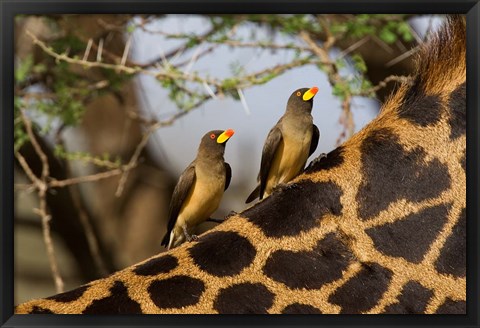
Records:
x=180, y=193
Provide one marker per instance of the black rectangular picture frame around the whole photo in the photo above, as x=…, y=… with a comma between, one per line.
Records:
x=10, y=8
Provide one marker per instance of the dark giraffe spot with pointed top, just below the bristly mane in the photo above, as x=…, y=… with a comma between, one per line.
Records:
x=418, y=108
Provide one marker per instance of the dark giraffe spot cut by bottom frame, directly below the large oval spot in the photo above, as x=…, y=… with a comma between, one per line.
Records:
x=244, y=298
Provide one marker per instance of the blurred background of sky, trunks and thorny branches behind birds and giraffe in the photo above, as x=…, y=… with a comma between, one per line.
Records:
x=110, y=109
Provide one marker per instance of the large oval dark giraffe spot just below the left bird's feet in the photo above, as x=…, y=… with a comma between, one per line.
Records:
x=223, y=253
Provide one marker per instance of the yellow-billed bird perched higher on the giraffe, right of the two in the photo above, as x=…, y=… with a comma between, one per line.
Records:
x=289, y=144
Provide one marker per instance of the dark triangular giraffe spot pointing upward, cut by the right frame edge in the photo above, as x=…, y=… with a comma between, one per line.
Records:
x=452, y=259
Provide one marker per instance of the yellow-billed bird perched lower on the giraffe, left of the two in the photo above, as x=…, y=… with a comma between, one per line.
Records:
x=199, y=189
